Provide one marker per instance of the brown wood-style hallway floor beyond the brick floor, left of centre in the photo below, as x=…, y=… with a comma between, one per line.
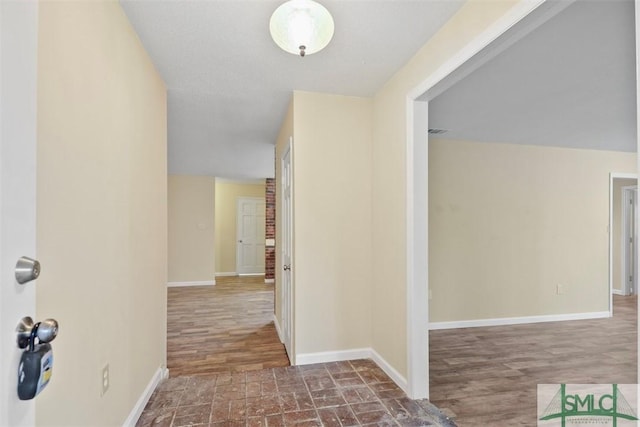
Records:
x=223, y=328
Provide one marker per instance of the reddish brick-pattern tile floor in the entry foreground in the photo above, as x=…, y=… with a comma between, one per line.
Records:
x=352, y=393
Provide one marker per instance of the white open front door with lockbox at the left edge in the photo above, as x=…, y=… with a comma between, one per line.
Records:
x=18, y=102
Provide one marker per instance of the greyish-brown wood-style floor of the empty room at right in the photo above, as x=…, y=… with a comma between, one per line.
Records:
x=488, y=376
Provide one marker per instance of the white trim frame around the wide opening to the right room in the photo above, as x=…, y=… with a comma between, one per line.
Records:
x=416, y=149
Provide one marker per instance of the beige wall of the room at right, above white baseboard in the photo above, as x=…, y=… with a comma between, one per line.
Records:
x=508, y=223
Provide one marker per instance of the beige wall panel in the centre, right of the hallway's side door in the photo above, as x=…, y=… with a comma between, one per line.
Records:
x=332, y=229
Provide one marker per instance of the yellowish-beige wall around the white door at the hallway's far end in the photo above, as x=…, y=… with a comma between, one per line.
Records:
x=227, y=193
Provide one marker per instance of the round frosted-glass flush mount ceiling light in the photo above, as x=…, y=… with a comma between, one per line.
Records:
x=301, y=27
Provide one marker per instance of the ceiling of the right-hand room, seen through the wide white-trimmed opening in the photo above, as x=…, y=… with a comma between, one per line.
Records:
x=570, y=83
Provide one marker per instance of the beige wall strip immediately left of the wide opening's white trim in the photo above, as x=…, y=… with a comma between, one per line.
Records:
x=389, y=265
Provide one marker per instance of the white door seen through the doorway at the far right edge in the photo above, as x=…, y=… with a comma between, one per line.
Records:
x=630, y=243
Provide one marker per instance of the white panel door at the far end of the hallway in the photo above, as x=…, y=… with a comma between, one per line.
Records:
x=250, y=230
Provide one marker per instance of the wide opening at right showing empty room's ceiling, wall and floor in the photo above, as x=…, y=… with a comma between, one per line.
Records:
x=518, y=213
